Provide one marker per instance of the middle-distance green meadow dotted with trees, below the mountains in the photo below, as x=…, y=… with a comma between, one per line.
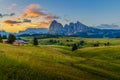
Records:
x=66, y=41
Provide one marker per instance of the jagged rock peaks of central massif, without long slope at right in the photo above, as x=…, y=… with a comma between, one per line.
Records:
x=71, y=29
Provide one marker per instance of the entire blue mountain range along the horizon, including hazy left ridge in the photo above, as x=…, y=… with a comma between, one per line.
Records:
x=72, y=29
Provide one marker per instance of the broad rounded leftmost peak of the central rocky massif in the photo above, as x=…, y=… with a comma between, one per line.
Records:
x=56, y=28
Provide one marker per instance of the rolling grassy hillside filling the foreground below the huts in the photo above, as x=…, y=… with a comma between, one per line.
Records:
x=59, y=63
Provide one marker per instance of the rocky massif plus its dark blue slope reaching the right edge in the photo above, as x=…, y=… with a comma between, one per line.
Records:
x=79, y=29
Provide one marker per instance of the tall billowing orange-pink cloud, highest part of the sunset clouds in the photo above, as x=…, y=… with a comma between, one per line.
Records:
x=34, y=11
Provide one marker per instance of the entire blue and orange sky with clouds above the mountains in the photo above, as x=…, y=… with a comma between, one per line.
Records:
x=17, y=15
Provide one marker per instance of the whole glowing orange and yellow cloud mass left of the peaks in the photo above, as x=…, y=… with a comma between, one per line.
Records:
x=29, y=19
